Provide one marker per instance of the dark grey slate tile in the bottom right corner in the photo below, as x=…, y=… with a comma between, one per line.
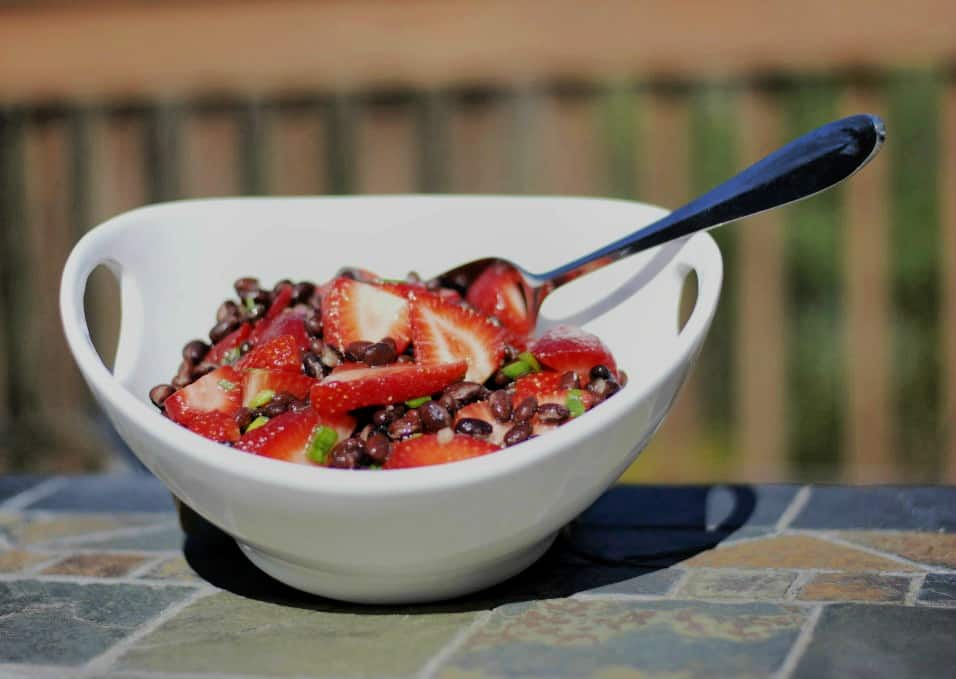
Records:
x=856, y=640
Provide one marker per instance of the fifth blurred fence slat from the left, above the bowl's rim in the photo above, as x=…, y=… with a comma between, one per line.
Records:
x=386, y=148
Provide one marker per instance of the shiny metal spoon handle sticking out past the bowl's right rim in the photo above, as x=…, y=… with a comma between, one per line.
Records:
x=807, y=165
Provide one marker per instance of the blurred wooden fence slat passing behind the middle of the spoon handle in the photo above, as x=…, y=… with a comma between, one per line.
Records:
x=760, y=358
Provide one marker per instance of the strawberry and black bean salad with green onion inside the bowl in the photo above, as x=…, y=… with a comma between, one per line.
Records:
x=368, y=373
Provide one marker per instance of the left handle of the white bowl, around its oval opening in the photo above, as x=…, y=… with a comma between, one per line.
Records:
x=100, y=247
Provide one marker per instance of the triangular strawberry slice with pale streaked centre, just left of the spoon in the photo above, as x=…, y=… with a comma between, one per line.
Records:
x=443, y=332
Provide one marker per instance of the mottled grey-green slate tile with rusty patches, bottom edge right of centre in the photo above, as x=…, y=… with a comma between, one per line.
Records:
x=583, y=638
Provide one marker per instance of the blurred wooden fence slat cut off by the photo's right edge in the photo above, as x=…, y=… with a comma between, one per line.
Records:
x=947, y=182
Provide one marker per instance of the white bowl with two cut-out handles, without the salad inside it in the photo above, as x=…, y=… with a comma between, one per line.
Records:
x=405, y=535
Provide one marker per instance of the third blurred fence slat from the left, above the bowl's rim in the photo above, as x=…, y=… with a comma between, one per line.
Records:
x=211, y=163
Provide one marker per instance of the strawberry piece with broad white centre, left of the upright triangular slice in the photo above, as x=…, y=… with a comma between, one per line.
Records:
x=354, y=311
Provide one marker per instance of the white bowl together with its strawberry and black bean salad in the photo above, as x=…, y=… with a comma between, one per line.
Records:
x=326, y=374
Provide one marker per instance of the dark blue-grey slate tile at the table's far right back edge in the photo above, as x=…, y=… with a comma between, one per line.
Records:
x=880, y=507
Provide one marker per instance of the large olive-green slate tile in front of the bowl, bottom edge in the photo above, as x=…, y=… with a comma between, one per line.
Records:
x=231, y=634
